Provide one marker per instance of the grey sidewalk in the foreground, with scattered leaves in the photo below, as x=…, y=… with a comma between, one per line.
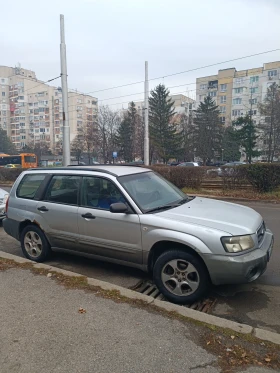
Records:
x=47, y=328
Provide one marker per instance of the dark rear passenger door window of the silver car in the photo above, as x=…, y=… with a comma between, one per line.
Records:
x=63, y=189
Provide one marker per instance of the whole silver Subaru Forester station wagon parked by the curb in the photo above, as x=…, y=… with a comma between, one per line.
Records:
x=132, y=216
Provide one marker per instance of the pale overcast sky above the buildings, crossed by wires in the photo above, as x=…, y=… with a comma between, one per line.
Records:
x=108, y=41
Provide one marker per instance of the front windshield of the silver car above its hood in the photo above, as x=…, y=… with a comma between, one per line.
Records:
x=150, y=191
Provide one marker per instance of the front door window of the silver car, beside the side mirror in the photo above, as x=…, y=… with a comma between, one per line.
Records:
x=100, y=193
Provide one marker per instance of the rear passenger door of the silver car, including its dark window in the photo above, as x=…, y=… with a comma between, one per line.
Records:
x=58, y=211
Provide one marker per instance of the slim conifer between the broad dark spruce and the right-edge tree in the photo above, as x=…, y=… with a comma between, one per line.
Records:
x=246, y=134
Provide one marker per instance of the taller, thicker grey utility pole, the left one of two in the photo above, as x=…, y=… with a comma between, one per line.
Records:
x=64, y=86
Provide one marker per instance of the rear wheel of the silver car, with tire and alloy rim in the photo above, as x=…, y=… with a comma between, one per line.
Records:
x=34, y=244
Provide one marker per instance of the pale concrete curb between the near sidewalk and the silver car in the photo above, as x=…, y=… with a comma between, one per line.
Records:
x=194, y=315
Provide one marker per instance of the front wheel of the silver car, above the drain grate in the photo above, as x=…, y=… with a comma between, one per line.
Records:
x=181, y=277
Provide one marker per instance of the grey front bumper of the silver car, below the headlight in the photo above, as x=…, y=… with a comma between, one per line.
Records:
x=242, y=268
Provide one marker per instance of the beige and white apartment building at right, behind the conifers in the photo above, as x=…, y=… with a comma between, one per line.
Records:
x=238, y=93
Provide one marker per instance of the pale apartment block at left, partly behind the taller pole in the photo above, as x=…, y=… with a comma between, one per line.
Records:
x=31, y=111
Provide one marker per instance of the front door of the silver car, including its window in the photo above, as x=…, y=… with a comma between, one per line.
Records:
x=116, y=236
